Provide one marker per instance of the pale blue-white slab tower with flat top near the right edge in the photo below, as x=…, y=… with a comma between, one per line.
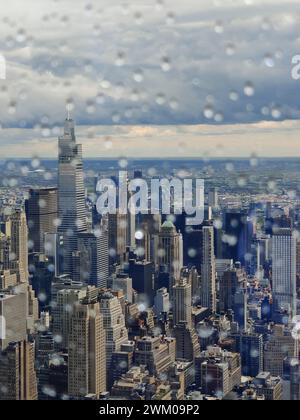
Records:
x=284, y=271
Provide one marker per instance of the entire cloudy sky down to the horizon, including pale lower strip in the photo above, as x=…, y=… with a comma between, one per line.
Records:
x=151, y=77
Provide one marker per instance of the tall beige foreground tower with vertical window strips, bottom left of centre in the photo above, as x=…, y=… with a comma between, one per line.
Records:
x=87, y=356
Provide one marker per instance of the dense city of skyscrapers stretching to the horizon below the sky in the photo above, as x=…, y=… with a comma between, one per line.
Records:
x=144, y=307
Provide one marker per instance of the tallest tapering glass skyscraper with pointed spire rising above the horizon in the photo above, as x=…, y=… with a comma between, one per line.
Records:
x=71, y=195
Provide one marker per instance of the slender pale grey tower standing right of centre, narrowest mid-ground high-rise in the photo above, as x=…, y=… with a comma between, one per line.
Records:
x=208, y=271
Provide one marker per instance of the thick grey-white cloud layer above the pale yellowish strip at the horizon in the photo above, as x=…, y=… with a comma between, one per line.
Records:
x=57, y=50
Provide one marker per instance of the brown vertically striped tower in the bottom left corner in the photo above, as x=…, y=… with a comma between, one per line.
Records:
x=17, y=373
